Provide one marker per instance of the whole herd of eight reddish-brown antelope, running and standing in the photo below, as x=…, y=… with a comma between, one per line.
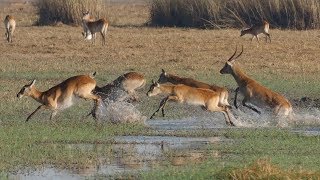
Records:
x=178, y=89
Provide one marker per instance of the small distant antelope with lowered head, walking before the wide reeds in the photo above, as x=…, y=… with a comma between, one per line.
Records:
x=256, y=30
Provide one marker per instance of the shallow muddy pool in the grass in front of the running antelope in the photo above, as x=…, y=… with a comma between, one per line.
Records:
x=130, y=154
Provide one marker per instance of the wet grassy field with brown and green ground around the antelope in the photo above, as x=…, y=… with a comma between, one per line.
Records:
x=188, y=143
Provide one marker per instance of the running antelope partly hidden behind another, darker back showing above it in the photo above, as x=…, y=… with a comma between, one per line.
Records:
x=223, y=92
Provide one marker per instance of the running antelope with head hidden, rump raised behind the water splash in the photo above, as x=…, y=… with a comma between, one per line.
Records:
x=128, y=82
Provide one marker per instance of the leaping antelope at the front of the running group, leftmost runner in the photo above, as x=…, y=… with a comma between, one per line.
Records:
x=62, y=95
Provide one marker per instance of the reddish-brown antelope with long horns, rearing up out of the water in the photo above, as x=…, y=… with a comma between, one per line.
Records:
x=253, y=91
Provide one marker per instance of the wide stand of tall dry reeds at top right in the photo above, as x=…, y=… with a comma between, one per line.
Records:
x=295, y=14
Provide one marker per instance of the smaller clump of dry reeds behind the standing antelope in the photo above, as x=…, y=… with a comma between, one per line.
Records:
x=68, y=11
